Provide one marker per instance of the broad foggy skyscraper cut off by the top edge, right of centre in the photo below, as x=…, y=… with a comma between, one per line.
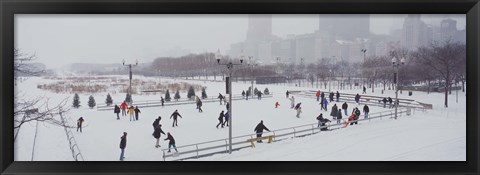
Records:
x=345, y=26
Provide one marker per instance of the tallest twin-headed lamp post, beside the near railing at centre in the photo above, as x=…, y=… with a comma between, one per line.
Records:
x=229, y=65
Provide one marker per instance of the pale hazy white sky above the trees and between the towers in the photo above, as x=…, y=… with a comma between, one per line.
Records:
x=58, y=40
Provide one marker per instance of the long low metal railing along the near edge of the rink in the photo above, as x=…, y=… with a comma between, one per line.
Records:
x=210, y=148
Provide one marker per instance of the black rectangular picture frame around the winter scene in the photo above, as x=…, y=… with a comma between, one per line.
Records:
x=8, y=8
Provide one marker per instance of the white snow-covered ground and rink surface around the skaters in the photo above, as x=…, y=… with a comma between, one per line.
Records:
x=438, y=134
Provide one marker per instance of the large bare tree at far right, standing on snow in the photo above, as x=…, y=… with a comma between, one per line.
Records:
x=443, y=60
